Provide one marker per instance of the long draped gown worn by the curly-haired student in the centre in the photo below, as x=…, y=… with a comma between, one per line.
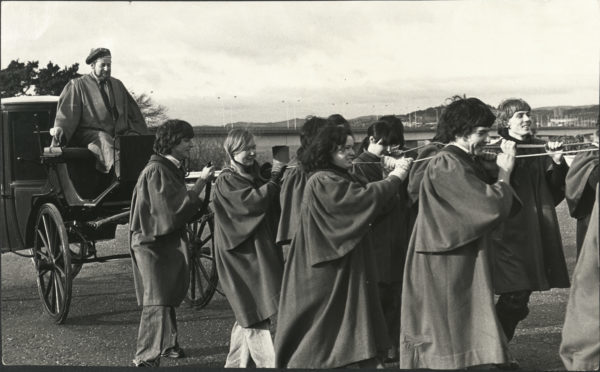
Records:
x=329, y=312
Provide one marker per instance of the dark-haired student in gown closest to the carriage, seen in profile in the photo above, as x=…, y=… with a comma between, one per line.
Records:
x=161, y=207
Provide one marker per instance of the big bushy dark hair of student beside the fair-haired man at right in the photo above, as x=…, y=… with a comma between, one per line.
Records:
x=461, y=116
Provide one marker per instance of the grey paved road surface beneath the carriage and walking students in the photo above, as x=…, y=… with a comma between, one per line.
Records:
x=102, y=325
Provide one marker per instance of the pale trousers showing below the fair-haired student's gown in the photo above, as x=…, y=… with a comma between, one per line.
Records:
x=251, y=344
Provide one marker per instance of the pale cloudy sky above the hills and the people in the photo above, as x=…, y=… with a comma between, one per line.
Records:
x=211, y=63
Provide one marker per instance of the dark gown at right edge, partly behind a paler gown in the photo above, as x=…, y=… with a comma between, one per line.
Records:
x=581, y=182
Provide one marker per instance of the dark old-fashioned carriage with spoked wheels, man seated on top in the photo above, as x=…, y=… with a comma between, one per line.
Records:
x=55, y=206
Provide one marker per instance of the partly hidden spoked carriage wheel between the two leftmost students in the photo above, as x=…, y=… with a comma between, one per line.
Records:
x=203, y=271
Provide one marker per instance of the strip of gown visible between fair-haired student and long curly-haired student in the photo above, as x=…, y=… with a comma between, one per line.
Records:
x=290, y=198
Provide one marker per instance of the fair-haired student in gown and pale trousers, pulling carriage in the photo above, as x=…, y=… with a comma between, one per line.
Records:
x=248, y=261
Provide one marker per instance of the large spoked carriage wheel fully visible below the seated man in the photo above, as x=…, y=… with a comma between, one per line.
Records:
x=52, y=260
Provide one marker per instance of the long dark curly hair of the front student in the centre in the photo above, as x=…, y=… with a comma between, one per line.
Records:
x=318, y=155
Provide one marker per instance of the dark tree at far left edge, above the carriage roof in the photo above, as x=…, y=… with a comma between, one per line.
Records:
x=17, y=78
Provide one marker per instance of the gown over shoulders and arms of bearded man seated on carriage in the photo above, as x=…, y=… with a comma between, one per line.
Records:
x=82, y=108
